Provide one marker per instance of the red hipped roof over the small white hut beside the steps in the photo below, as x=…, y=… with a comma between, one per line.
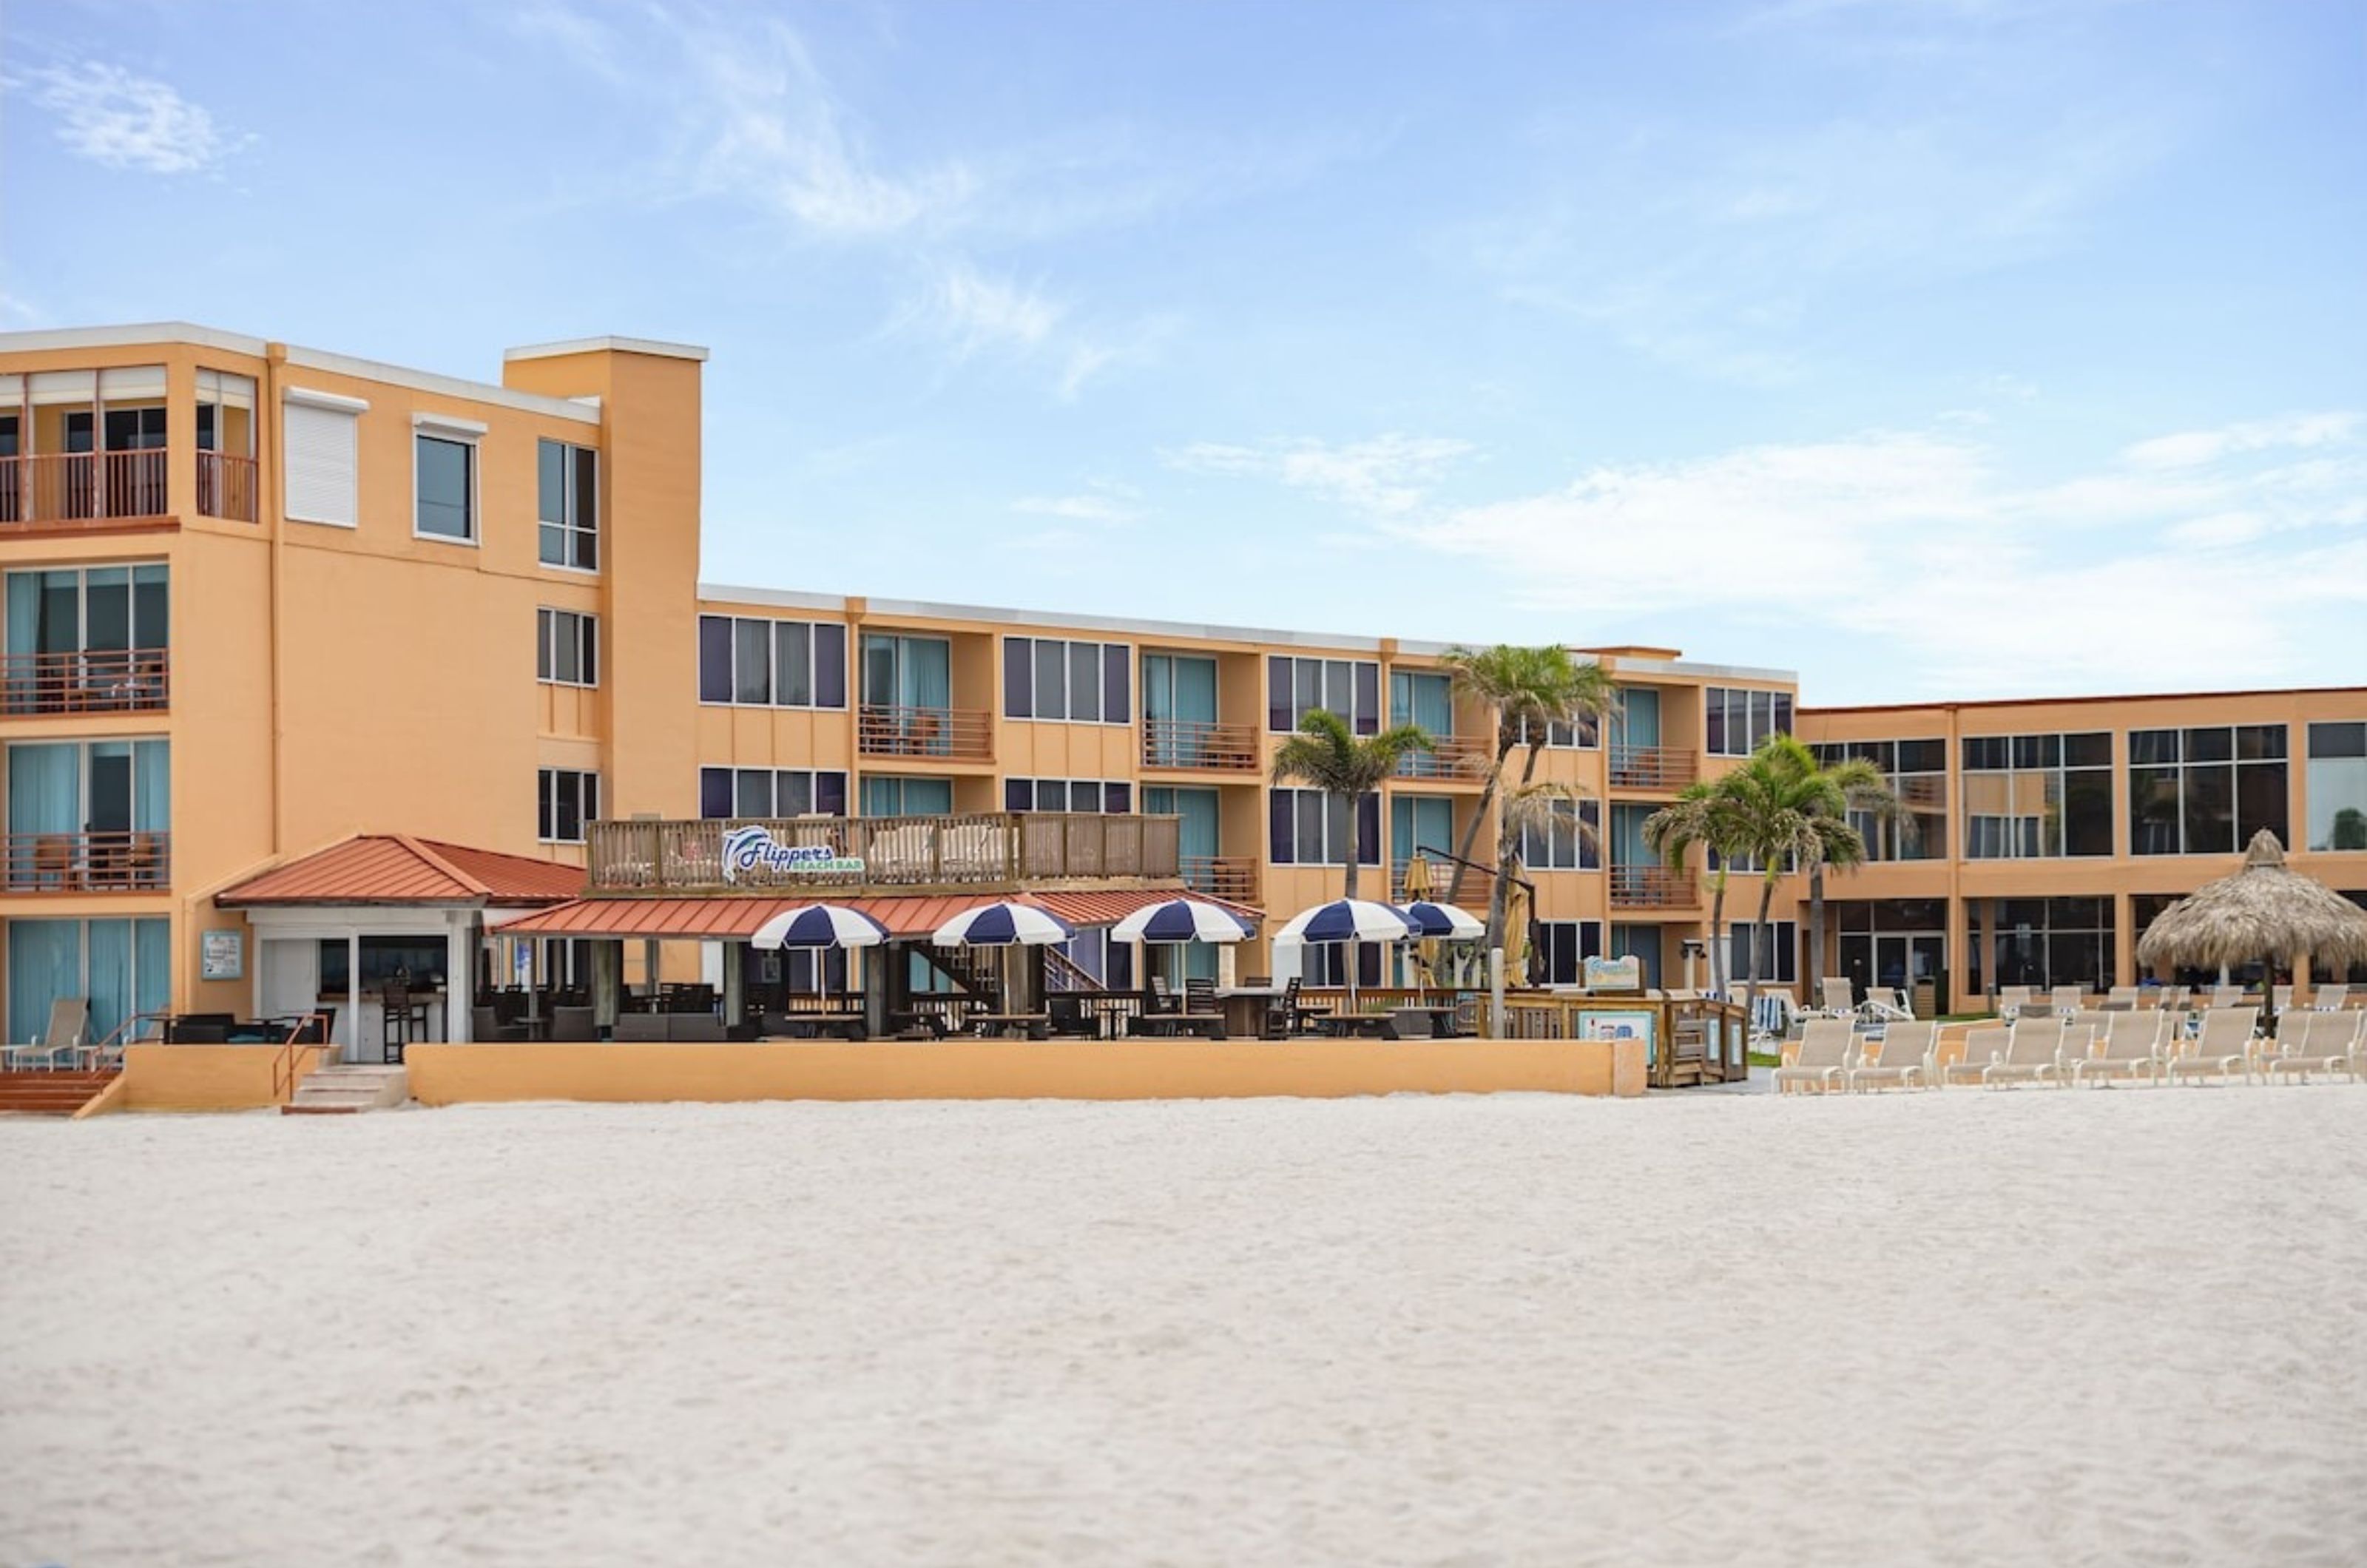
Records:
x=401, y=870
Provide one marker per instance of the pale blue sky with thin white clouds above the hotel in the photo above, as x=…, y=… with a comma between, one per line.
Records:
x=1949, y=349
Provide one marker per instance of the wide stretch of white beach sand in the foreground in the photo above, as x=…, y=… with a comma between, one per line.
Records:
x=2032, y=1328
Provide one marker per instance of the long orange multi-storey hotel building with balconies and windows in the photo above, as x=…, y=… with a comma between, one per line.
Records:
x=271, y=608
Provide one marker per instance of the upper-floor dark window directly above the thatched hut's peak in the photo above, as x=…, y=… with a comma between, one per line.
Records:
x=2205, y=792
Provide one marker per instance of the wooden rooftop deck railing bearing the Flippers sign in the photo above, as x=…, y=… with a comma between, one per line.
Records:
x=804, y=854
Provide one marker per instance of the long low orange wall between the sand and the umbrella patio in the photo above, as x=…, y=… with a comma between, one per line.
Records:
x=1021, y=1069
